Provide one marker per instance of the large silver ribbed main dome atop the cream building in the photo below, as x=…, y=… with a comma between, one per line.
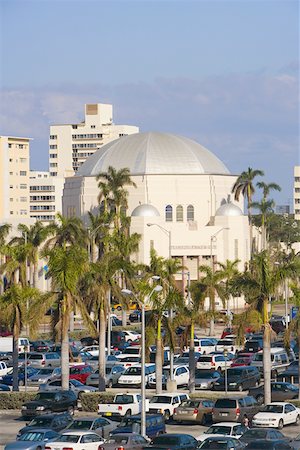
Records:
x=153, y=153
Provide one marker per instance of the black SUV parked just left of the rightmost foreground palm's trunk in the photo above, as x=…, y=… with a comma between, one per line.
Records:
x=239, y=378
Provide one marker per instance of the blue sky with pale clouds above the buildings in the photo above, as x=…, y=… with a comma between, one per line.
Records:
x=222, y=72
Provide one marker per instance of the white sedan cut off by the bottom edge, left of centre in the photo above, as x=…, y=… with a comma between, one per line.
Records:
x=77, y=440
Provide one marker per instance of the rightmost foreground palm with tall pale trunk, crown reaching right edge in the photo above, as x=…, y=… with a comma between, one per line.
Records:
x=258, y=284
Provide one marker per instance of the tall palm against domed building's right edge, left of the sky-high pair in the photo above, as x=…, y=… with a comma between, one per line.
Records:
x=244, y=186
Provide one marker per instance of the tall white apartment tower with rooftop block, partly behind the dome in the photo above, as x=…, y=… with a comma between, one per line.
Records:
x=71, y=144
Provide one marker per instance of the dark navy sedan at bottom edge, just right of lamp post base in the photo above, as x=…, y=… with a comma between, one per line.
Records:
x=173, y=442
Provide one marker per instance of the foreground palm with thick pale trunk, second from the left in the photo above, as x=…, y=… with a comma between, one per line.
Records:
x=66, y=268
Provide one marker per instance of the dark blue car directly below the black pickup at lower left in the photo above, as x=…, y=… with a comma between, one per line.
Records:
x=55, y=422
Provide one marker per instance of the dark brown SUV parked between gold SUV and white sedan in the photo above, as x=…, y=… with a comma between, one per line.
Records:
x=233, y=409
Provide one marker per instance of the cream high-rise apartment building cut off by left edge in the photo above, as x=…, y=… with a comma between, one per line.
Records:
x=14, y=178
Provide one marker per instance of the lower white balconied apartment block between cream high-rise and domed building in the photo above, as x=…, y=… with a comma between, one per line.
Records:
x=45, y=195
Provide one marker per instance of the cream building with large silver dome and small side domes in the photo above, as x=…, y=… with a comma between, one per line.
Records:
x=181, y=203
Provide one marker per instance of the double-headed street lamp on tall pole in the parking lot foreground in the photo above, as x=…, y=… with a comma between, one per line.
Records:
x=157, y=288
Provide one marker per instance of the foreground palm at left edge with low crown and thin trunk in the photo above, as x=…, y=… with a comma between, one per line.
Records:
x=15, y=313
